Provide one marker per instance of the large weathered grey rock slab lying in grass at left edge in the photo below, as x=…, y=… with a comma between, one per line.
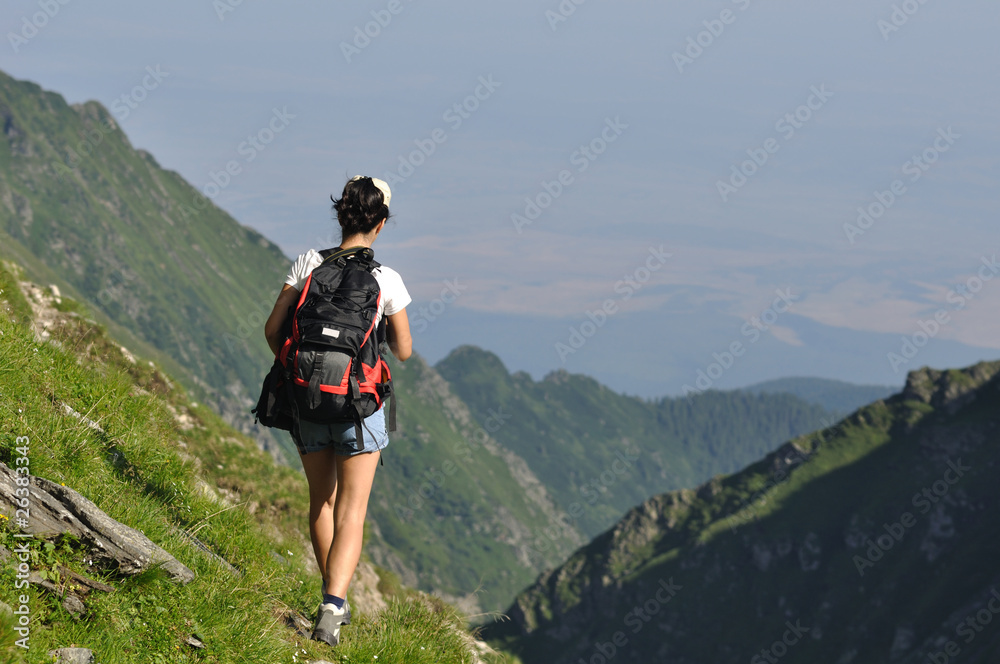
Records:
x=57, y=510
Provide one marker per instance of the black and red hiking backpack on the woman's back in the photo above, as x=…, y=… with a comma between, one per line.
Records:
x=329, y=368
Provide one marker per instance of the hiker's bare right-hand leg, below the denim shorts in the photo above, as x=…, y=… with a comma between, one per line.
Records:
x=356, y=475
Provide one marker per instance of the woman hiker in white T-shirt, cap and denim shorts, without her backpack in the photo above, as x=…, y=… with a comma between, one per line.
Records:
x=340, y=472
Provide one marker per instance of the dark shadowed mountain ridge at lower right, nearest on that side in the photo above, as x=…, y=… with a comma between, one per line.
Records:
x=871, y=541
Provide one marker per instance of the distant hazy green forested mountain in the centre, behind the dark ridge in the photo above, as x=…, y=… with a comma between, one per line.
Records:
x=600, y=453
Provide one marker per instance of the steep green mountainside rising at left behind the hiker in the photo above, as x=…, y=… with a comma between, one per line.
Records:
x=81, y=207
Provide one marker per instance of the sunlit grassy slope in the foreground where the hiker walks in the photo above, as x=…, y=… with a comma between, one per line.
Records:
x=150, y=473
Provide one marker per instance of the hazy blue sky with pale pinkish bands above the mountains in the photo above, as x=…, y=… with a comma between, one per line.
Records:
x=835, y=101
